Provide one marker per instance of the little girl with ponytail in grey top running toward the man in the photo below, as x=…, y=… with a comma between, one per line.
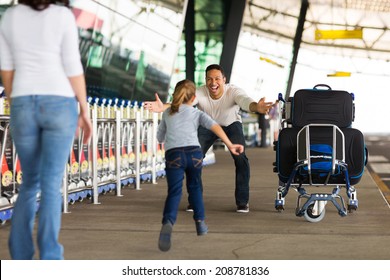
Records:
x=179, y=131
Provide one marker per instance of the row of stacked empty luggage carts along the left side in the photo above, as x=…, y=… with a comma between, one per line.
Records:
x=123, y=152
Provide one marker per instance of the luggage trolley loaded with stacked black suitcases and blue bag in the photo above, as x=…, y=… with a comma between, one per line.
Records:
x=318, y=148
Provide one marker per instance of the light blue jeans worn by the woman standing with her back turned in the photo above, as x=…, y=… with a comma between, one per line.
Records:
x=42, y=128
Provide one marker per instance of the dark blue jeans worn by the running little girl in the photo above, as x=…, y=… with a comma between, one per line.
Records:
x=180, y=161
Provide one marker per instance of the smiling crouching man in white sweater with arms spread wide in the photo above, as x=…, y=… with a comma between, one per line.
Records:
x=223, y=102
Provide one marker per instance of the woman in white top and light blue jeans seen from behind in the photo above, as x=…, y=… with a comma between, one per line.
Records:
x=44, y=82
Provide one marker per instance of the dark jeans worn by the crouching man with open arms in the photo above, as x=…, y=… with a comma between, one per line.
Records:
x=236, y=136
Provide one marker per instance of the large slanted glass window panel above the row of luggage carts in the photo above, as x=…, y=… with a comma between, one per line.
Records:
x=128, y=47
